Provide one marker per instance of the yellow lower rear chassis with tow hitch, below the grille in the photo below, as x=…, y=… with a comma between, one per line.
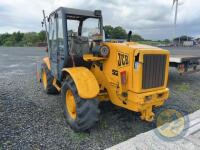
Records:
x=143, y=103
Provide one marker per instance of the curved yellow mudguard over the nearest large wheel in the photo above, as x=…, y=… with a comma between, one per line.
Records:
x=85, y=81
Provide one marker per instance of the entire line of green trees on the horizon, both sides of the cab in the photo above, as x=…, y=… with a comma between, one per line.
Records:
x=34, y=38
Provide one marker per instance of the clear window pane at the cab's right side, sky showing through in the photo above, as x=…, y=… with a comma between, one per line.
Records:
x=91, y=28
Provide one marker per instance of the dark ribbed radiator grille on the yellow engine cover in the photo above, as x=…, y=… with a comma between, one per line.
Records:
x=153, y=73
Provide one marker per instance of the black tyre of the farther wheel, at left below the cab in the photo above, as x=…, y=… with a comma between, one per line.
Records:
x=50, y=88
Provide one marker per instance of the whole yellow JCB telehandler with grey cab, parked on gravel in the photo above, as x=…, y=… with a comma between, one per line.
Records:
x=88, y=70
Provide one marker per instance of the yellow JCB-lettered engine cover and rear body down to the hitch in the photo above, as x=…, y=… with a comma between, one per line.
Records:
x=131, y=94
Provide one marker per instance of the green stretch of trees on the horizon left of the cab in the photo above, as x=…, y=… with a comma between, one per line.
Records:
x=22, y=39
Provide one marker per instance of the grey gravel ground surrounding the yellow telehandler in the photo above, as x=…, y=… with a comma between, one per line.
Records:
x=30, y=119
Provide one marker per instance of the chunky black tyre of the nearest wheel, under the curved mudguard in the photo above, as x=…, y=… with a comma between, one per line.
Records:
x=87, y=110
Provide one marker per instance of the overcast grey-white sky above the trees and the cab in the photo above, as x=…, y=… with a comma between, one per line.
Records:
x=153, y=19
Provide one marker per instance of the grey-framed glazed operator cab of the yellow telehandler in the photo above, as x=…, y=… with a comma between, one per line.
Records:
x=73, y=33
